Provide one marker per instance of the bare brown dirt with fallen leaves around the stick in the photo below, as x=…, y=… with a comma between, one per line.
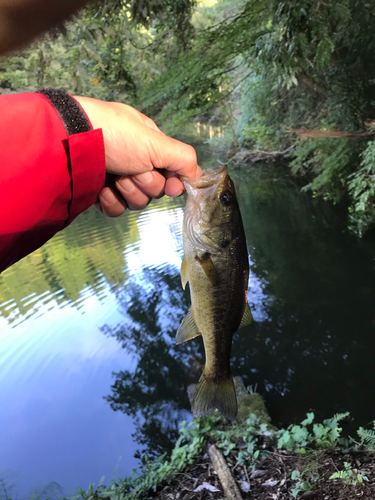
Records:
x=271, y=480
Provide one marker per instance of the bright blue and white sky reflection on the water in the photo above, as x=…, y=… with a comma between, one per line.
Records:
x=56, y=363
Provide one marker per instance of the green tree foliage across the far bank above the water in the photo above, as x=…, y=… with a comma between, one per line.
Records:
x=254, y=65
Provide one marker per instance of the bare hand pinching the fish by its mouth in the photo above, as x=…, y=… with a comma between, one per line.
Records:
x=142, y=160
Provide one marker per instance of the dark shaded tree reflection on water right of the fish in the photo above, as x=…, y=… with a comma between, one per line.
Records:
x=317, y=311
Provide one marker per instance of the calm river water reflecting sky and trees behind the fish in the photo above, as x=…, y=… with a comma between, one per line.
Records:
x=90, y=374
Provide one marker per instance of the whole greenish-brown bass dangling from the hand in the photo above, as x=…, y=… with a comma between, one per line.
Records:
x=216, y=265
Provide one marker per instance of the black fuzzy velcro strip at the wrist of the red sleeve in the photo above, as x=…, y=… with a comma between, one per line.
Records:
x=70, y=112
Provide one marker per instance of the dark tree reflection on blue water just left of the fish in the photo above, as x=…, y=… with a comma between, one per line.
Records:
x=155, y=392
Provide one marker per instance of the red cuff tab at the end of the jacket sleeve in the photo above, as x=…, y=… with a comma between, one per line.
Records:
x=87, y=166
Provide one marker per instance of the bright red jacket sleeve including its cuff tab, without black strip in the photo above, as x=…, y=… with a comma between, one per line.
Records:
x=47, y=177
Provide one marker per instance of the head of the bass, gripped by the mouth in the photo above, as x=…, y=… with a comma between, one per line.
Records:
x=211, y=208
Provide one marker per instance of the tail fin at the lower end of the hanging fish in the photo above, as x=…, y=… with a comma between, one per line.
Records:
x=211, y=394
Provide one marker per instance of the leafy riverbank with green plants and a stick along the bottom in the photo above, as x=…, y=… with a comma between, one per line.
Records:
x=310, y=460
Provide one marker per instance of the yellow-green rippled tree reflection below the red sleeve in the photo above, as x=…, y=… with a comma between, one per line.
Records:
x=73, y=260
